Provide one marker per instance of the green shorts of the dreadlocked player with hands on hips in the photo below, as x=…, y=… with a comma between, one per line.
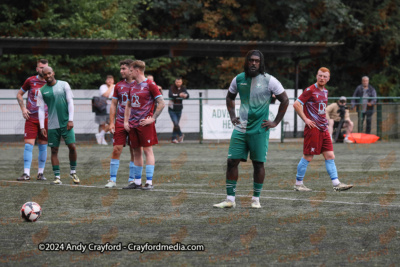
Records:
x=241, y=144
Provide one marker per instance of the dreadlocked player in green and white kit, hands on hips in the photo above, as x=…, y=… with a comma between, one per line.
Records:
x=251, y=128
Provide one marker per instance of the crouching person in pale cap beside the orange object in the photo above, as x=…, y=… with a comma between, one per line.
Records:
x=333, y=115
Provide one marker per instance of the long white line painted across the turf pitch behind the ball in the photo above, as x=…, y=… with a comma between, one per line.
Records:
x=216, y=194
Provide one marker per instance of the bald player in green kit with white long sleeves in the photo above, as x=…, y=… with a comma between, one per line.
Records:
x=57, y=95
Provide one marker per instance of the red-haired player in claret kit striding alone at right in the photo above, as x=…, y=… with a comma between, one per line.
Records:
x=311, y=106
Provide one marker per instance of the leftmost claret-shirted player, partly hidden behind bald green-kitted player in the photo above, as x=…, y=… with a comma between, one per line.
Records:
x=32, y=127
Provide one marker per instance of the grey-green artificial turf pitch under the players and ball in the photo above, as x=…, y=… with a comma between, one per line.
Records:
x=323, y=227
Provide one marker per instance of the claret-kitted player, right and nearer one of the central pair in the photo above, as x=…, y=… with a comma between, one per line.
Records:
x=141, y=123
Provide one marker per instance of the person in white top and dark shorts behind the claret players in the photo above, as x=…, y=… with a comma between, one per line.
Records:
x=102, y=118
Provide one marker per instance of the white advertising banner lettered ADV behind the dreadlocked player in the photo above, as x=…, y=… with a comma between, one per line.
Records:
x=217, y=124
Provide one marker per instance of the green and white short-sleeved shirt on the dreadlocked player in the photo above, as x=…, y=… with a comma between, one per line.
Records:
x=255, y=96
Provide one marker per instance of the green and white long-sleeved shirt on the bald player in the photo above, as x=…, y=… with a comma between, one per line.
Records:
x=59, y=100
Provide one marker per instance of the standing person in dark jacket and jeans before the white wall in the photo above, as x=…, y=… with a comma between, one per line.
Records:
x=177, y=92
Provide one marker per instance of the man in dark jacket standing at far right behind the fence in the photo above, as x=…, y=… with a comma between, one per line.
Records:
x=367, y=106
